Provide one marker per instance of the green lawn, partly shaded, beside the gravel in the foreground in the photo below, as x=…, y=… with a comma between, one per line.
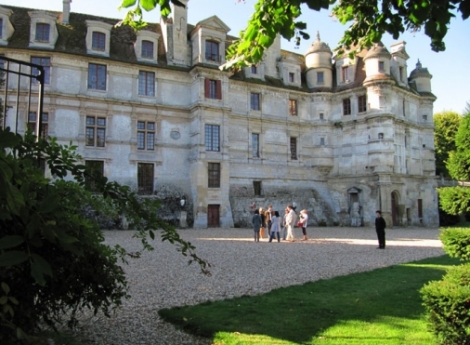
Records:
x=382, y=306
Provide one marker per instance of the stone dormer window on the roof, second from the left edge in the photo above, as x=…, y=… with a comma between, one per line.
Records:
x=43, y=30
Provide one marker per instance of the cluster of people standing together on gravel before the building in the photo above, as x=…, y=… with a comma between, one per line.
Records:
x=271, y=221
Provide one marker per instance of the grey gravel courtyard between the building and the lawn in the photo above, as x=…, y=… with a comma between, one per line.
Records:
x=162, y=278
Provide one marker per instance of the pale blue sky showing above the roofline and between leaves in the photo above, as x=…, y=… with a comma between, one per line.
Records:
x=450, y=69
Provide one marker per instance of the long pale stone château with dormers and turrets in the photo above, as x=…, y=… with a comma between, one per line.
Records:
x=338, y=136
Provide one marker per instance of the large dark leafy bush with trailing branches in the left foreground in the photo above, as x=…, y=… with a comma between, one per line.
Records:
x=53, y=262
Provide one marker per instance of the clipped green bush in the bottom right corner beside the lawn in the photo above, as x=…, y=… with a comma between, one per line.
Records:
x=447, y=303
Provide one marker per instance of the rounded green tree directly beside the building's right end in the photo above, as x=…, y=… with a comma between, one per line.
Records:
x=446, y=125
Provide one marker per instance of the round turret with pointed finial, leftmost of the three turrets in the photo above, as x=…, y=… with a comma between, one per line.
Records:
x=319, y=66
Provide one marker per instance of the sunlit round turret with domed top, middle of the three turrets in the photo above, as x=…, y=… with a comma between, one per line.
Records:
x=377, y=62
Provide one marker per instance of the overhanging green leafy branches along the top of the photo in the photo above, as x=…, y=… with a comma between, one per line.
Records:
x=368, y=19
